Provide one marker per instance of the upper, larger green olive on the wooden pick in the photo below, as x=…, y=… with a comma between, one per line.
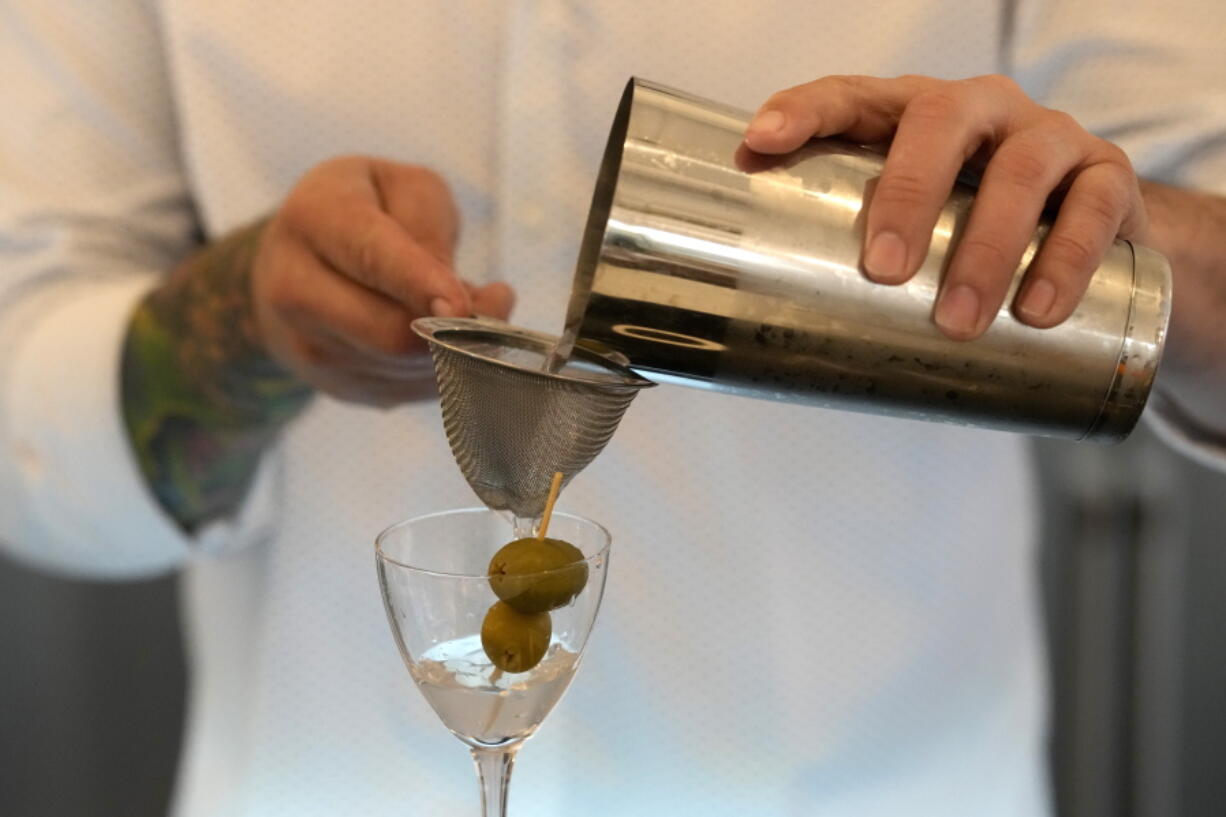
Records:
x=538, y=575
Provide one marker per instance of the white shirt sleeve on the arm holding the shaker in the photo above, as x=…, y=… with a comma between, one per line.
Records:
x=1151, y=78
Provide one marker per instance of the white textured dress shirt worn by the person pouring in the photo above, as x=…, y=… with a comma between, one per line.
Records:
x=809, y=613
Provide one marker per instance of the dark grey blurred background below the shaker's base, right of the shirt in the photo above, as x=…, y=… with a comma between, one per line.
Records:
x=1135, y=581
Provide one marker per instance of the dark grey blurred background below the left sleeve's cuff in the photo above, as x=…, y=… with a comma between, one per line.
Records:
x=91, y=696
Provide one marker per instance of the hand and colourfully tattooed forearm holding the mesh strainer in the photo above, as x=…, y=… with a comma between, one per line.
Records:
x=230, y=348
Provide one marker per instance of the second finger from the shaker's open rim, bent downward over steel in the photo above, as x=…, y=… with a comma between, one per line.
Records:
x=939, y=132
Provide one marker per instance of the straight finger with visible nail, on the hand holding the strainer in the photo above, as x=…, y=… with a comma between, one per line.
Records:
x=354, y=236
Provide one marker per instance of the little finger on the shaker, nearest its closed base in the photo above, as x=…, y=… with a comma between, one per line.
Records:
x=1100, y=202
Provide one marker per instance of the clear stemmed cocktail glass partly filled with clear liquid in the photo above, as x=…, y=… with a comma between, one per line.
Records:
x=436, y=588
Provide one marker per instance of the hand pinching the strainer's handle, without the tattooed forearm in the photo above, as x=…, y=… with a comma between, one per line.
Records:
x=359, y=250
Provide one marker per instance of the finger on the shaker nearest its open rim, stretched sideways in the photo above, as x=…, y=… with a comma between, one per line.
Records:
x=862, y=109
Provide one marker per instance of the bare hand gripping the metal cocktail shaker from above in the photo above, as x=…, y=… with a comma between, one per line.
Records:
x=1029, y=155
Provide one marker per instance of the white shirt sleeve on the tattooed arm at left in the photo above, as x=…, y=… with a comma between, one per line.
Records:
x=94, y=208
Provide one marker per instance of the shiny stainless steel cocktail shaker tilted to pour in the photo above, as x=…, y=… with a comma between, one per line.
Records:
x=707, y=266
